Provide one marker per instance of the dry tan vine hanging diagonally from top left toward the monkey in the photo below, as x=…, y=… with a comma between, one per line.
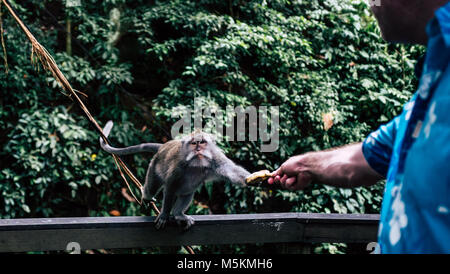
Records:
x=38, y=52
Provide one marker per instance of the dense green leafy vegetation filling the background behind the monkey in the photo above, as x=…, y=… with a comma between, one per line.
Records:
x=321, y=61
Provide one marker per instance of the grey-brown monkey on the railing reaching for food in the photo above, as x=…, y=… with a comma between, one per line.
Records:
x=179, y=167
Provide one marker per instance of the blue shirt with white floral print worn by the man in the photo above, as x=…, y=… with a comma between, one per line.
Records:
x=413, y=152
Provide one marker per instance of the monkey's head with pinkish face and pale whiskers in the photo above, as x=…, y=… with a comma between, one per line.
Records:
x=198, y=149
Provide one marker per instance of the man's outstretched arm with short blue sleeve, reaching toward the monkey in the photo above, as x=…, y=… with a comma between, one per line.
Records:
x=360, y=164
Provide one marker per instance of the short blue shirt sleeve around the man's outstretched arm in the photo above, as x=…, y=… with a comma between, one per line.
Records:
x=377, y=147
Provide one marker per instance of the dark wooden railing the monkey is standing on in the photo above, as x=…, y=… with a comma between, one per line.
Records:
x=19, y=235
